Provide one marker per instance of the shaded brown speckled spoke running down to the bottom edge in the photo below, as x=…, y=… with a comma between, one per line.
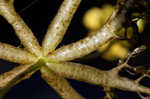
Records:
x=59, y=84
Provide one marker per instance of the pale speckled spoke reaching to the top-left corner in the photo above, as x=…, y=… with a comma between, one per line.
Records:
x=22, y=30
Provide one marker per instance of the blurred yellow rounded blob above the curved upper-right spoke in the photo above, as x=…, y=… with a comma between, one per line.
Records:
x=96, y=17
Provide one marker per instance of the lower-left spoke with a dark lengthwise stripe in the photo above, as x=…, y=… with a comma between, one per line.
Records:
x=19, y=73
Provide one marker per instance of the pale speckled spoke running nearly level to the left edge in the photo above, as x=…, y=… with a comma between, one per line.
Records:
x=14, y=54
